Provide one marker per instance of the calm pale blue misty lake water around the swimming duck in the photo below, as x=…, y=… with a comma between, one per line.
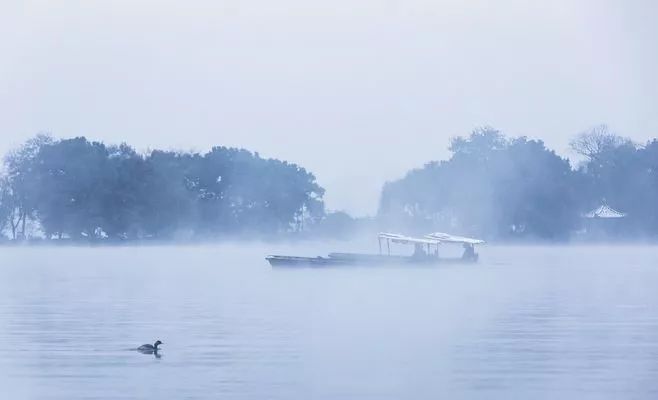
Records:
x=527, y=322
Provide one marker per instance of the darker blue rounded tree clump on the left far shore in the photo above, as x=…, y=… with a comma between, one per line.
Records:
x=80, y=189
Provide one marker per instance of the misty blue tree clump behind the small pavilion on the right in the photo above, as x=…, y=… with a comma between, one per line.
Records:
x=500, y=187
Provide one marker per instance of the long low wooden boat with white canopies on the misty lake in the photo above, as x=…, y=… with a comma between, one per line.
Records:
x=419, y=257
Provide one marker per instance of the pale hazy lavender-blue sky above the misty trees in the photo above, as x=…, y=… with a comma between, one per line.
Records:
x=357, y=91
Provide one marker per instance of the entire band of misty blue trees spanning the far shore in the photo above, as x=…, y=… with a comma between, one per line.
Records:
x=491, y=186
